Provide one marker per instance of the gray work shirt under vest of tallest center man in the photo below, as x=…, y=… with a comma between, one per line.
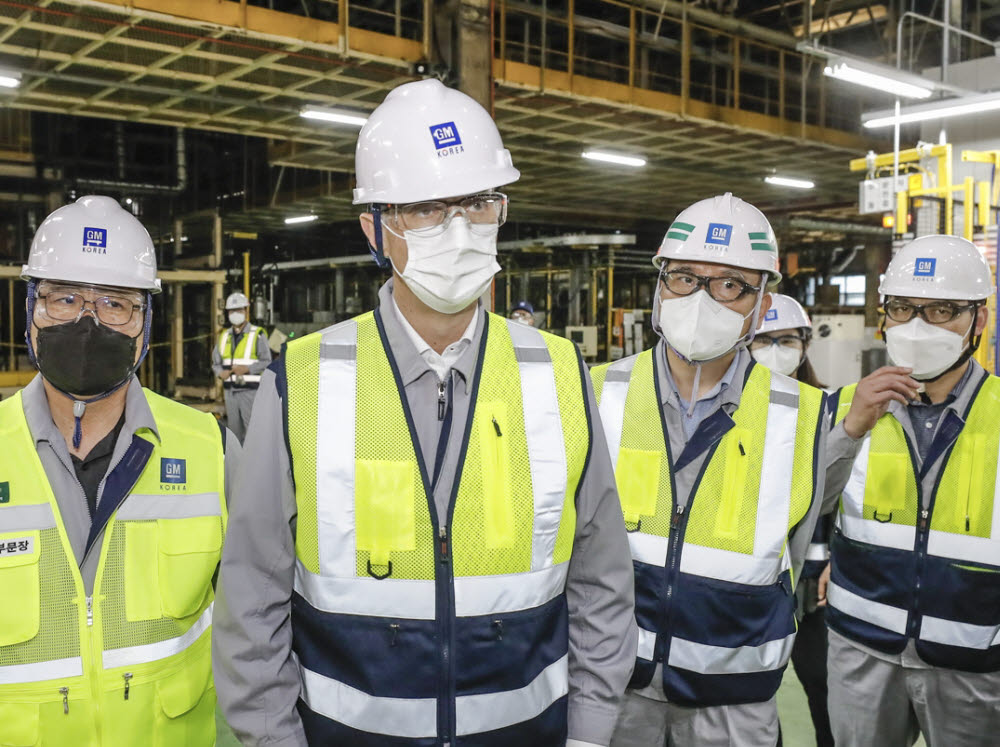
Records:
x=256, y=680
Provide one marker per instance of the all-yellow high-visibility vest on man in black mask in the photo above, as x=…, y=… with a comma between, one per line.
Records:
x=131, y=664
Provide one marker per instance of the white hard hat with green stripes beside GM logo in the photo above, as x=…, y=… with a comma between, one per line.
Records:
x=724, y=230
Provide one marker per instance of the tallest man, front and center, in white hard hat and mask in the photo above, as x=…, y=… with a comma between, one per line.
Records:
x=426, y=547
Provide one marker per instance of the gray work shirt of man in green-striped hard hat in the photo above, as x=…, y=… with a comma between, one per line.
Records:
x=725, y=396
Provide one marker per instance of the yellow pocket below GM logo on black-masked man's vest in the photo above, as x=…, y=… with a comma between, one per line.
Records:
x=189, y=551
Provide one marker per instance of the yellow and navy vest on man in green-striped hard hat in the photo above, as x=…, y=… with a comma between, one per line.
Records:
x=713, y=579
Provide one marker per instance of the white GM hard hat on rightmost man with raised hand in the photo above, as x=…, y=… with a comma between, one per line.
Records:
x=938, y=267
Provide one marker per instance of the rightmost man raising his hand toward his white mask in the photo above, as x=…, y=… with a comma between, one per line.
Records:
x=914, y=595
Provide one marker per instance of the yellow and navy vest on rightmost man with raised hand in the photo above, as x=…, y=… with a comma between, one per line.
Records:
x=905, y=567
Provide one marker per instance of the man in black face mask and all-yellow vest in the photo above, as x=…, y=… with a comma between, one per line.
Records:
x=112, y=507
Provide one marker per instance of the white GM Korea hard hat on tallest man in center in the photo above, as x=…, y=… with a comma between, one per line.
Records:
x=428, y=142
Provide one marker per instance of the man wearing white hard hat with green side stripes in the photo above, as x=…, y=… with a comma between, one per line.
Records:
x=716, y=465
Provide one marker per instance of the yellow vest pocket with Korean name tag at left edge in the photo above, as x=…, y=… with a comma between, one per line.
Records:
x=20, y=614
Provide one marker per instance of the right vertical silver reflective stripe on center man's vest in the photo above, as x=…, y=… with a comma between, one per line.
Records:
x=546, y=445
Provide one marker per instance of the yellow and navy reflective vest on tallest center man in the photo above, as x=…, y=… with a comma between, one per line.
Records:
x=406, y=628
